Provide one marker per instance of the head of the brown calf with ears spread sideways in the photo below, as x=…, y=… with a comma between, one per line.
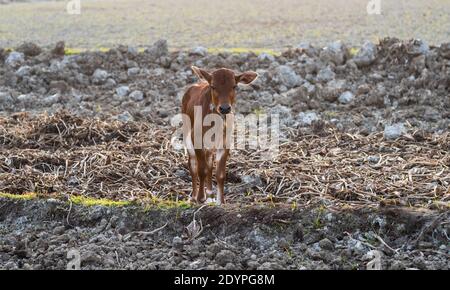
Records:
x=223, y=83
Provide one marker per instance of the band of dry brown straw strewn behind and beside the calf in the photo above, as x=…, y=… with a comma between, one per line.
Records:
x=67, y=154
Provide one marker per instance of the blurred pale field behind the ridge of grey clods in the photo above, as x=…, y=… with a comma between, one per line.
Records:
x=224, y=24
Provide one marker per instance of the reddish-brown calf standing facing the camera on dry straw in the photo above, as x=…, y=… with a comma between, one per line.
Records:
x=215, y=95
